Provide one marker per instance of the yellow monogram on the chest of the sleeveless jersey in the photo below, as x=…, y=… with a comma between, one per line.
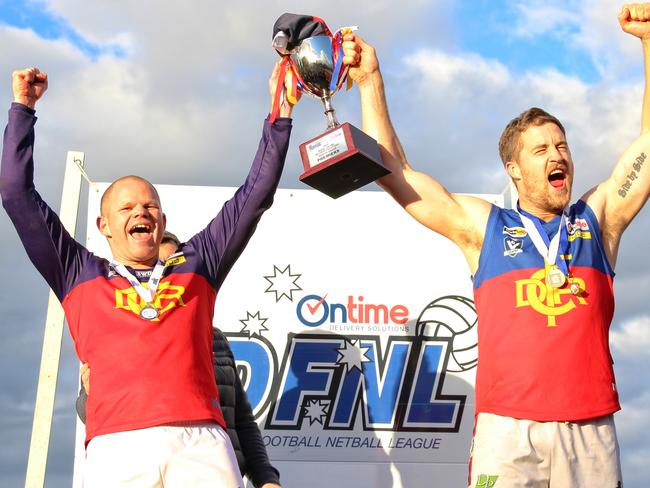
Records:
x=543, y=298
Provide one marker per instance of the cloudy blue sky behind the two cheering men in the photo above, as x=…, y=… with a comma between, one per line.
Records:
x=155, y=83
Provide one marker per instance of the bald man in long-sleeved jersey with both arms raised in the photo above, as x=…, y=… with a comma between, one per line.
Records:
x=143, y=326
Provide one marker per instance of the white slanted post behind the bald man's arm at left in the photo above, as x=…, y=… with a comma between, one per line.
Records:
x=45, y=393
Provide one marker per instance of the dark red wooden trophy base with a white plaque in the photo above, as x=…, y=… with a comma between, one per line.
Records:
x=341, y=160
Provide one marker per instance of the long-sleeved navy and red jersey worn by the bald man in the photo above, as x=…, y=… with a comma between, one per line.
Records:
x=144, y=372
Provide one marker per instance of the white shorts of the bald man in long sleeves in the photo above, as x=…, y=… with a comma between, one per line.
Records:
x=196, y=454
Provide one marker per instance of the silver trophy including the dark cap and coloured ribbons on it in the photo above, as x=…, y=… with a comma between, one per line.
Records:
x=343, y=158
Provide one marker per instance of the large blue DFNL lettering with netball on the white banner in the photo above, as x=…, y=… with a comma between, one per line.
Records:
x=330, y=379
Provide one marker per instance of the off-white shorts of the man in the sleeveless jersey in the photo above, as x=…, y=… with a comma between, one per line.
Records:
x=508, y=452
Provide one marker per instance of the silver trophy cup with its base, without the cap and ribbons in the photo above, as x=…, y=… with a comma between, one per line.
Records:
x=343, y=158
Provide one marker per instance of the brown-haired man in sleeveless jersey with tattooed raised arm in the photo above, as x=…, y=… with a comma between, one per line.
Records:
x=543, y=274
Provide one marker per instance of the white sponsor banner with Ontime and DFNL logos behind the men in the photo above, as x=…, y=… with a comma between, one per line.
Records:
x=354, y=331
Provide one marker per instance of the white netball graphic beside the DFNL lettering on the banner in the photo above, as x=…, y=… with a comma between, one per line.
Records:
x=452, y=317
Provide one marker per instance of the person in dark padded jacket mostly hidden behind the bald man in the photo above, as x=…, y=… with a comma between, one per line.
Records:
x=243, y=431
